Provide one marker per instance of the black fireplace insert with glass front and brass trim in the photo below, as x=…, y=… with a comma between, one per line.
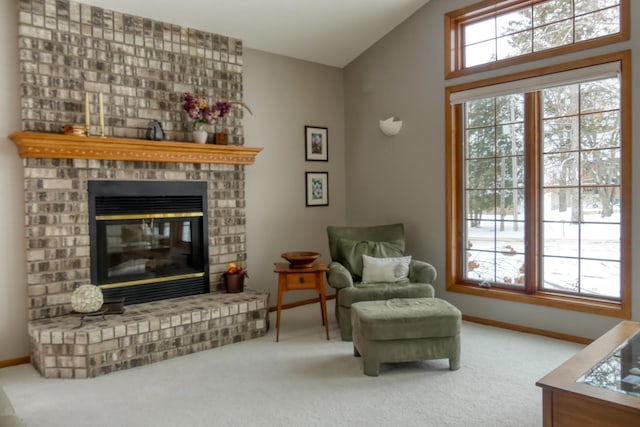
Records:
x=148, y=240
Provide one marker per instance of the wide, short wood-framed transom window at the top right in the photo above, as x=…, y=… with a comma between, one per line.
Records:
x=486, y=35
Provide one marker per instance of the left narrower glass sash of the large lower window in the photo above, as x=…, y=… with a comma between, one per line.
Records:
x=493, y=188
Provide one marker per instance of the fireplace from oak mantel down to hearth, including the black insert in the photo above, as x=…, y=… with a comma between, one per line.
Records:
x=60, y=171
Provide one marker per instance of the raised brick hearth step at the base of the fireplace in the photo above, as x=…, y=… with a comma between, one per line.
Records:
x=145, y=333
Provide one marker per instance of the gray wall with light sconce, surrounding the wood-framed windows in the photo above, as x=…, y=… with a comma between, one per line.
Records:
x=403, y=178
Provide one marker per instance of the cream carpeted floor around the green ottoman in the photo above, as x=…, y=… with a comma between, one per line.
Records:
x=304, y=380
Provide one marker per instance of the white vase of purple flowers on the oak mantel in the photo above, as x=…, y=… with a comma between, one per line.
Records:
x=202, y=113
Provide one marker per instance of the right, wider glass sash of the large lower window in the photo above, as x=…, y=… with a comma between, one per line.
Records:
x=582, y=176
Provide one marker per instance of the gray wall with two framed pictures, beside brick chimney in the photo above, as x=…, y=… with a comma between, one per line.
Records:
x=285, y=95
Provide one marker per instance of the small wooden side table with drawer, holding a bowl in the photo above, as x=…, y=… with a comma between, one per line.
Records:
x=291, y=279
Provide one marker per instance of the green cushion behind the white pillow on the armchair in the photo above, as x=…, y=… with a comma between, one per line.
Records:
x=351, y=252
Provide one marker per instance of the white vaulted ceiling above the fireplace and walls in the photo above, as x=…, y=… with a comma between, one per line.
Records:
x=330, y=32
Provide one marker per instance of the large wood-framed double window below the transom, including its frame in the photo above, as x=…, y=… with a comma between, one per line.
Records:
x=539, y=182
